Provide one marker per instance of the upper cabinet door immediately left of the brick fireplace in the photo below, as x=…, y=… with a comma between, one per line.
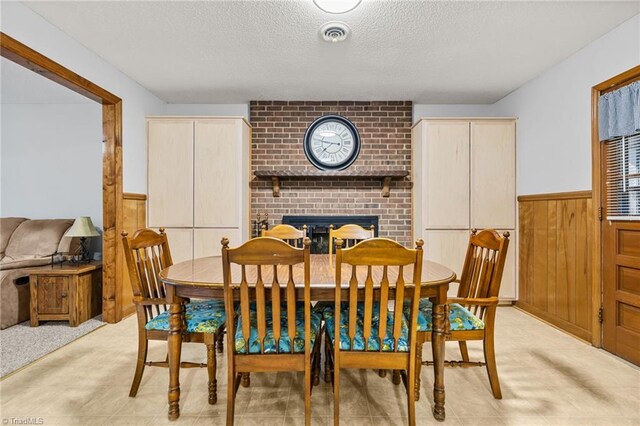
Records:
x=218, y=173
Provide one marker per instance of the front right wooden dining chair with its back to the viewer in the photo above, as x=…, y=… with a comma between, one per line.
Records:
x=369, y=329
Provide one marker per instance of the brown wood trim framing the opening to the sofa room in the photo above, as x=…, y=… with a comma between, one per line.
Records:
x=21, y=54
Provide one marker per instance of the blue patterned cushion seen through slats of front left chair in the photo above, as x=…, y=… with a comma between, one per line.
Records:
x=284, y=344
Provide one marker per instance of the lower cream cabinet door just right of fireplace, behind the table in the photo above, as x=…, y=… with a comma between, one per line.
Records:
x=448, y=248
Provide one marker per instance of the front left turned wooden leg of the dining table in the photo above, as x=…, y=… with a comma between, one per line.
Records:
x=176, y=319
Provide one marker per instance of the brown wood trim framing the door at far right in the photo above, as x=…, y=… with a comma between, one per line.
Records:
x=613, y=83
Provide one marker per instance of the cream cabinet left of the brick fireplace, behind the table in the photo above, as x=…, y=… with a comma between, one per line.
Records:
x=198, y=180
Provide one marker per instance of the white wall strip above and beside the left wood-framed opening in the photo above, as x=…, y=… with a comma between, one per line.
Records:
x=19, y=22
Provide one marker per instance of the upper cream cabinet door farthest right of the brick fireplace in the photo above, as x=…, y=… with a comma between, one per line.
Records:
x=493, y=174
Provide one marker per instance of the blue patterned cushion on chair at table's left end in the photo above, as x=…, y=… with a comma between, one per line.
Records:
x=202, y=316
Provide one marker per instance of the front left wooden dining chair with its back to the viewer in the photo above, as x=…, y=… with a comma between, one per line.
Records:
x=268, y=329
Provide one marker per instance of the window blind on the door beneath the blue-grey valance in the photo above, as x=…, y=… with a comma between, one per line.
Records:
x=622, y=157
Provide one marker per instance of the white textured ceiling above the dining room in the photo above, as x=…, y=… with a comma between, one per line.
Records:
x=425, y=51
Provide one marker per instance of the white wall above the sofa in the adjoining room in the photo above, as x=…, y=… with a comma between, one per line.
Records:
x=51, y=160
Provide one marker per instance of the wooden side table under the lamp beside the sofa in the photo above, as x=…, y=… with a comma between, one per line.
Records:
x=66, y=292
